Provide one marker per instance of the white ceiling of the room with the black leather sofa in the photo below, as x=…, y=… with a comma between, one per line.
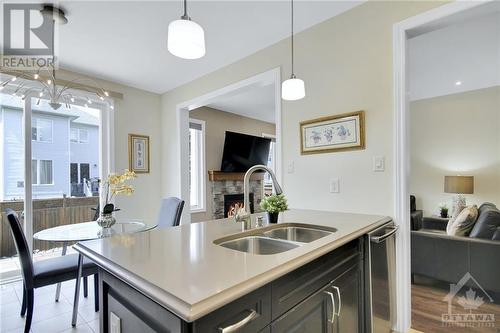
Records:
x=465, y=50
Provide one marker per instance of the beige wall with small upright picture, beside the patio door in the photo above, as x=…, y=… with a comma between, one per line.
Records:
x=139, y=113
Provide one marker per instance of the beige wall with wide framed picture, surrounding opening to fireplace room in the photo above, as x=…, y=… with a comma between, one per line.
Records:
x=346, y=63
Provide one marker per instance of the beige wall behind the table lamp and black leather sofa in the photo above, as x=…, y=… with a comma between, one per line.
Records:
x=452, y=135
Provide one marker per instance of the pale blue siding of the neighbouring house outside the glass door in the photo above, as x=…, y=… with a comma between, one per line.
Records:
x=60, y=151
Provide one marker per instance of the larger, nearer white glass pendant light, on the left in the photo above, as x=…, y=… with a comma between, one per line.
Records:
x=186, y=38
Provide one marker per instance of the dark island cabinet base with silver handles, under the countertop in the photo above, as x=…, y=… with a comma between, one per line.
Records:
x=324, y=295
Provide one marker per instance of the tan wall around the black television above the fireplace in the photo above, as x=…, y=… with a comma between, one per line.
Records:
x=217, y=122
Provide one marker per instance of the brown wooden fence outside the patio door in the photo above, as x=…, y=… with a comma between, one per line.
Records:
x=47, y=213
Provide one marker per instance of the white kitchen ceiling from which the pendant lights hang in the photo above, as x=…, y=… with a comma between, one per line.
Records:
x=125, y=41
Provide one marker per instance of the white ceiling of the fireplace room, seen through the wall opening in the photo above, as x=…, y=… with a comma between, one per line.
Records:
x=255, y=101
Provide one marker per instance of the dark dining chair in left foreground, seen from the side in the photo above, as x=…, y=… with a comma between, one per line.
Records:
x=46, y=272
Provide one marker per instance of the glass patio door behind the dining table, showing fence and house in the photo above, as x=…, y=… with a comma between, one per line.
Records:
x=51, y=165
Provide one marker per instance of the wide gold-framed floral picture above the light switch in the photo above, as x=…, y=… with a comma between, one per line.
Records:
x=335, y=133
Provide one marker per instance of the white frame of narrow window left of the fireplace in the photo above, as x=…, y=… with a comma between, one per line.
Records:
x=202, y=207
